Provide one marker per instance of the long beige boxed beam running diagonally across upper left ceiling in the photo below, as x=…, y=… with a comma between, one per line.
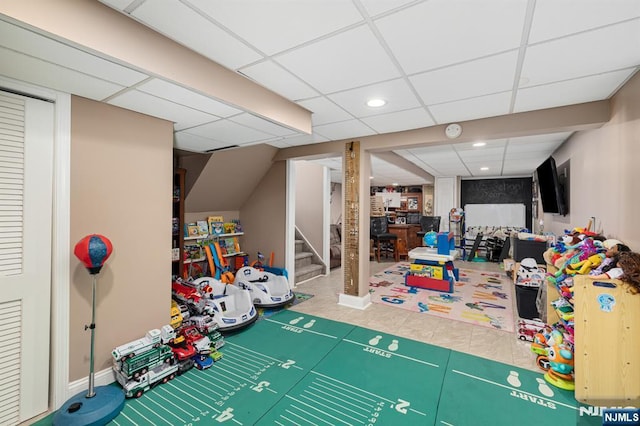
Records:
x=98, y=29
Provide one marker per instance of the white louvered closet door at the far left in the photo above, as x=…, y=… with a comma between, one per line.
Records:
x=26, y=170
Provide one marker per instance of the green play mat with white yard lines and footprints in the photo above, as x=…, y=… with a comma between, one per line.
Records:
x=298, y=369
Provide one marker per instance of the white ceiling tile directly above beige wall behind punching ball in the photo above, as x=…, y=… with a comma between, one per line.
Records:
x=183, y=117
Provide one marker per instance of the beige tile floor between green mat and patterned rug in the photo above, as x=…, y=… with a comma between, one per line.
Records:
x=496, y=345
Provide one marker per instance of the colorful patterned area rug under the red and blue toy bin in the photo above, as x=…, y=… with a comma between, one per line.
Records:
x=480, y=298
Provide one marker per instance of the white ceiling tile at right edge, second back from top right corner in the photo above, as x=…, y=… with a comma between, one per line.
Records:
x=608, y=49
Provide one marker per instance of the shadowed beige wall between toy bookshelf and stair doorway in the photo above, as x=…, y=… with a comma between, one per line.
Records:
x=263, y=216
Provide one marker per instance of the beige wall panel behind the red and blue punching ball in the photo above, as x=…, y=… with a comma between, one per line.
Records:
x=121, y=185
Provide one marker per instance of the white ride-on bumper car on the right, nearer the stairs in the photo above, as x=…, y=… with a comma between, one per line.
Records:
x=267, y=289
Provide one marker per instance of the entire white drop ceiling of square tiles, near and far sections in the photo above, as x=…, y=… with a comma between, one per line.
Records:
x=432, y=61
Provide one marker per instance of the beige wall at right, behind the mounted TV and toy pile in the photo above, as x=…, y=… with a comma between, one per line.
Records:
x=605, y=172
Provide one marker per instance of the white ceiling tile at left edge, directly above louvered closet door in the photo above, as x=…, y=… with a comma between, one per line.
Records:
x=45, y=74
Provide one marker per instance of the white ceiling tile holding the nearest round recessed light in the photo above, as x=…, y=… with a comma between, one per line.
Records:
x=397, y=93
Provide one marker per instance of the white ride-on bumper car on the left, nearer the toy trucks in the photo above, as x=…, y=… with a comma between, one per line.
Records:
x=229, y=306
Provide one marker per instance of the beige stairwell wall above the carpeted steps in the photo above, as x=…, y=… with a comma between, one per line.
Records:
x=309, y=210
